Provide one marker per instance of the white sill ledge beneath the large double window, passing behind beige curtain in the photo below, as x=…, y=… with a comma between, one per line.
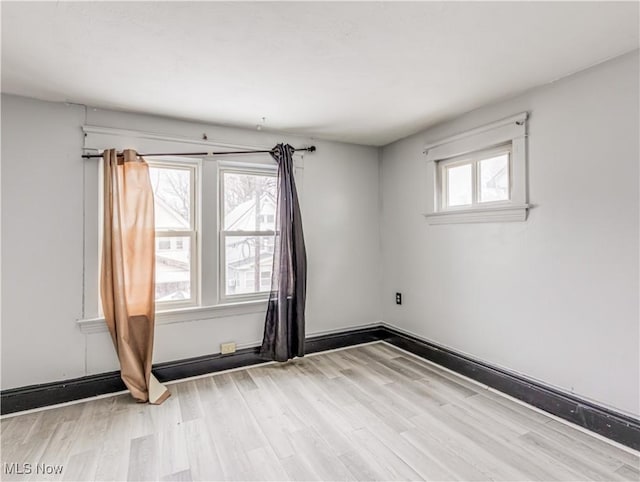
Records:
x=98, y=325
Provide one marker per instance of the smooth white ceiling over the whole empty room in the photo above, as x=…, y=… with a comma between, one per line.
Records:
x=363, y=72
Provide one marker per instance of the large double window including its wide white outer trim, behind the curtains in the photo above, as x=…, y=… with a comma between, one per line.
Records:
x=215, y=223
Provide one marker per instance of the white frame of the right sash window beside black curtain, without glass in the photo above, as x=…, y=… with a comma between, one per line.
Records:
x=223, y=234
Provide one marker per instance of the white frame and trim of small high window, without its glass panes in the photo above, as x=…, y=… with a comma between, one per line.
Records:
x=471, y=147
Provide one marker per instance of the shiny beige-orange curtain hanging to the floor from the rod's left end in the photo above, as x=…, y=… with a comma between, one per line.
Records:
x=127, y=281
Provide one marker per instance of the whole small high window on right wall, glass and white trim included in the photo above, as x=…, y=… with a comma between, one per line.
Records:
x=480, y=175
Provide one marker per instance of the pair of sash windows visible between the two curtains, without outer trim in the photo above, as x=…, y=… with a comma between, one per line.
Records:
x=212, y=247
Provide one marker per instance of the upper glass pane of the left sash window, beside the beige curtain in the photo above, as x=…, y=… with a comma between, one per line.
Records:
x=172, y=197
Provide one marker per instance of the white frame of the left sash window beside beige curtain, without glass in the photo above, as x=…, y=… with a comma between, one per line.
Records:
x=194, y=168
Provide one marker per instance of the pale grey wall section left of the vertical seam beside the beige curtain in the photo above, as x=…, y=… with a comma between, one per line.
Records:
x=42, y=208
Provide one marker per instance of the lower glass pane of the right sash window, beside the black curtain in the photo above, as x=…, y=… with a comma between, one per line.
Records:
x=248, y=264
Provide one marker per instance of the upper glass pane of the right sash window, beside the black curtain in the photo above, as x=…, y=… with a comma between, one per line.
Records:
x=249, y=202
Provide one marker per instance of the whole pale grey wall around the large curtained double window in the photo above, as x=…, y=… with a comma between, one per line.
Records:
x=42, y=244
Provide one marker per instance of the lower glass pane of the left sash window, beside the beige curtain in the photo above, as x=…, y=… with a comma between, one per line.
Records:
x=173, y=268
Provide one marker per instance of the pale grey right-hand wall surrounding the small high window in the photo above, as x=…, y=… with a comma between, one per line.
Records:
x=556, y=297
